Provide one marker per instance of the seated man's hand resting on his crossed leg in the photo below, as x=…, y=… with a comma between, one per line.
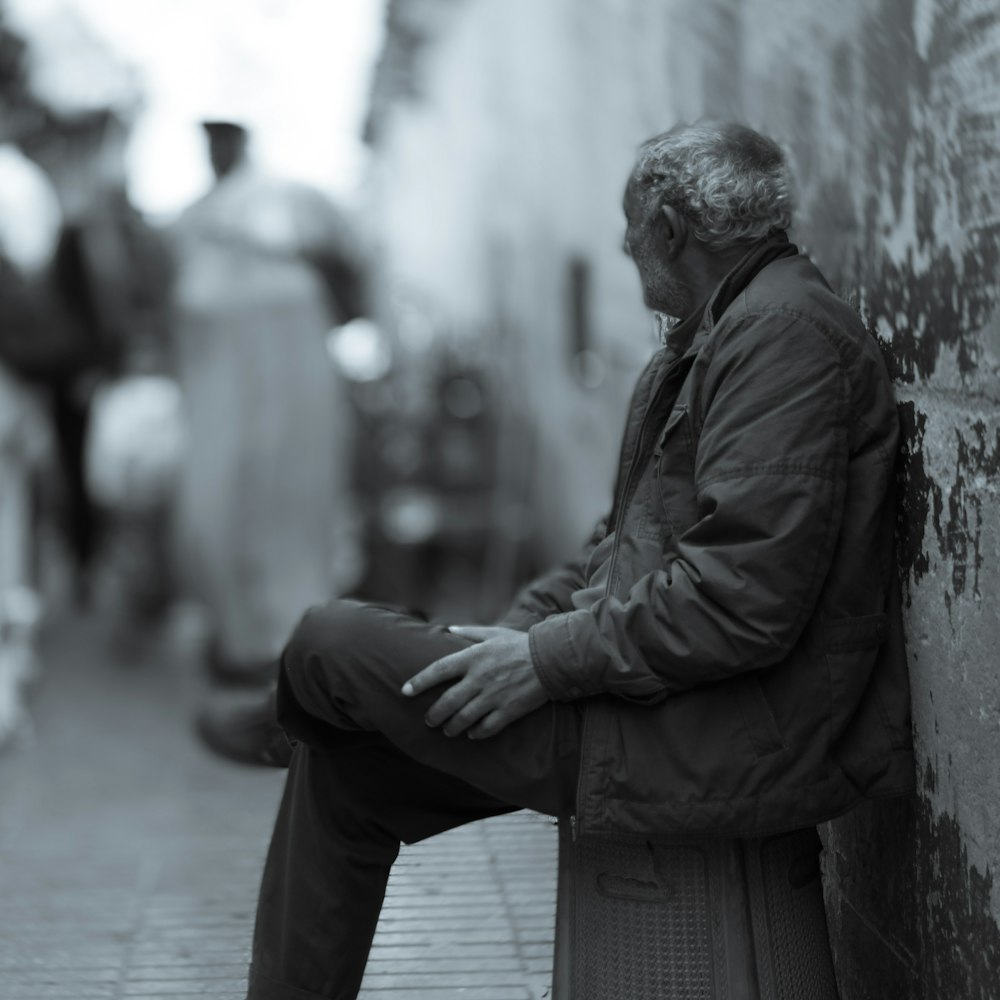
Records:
x=496, y=683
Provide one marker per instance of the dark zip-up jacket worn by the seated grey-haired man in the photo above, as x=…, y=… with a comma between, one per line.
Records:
x=733, y=629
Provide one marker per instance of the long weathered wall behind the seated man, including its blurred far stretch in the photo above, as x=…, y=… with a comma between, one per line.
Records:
x=503, y=132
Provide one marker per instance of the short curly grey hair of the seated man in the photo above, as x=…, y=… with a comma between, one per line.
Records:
x=732, y=184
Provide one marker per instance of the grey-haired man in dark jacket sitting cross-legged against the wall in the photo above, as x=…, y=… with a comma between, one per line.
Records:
x=722, y=659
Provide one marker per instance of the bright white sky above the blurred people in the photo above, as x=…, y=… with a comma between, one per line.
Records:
x=297, y=70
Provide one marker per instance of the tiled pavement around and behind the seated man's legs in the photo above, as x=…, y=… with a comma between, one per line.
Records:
x=129, y=858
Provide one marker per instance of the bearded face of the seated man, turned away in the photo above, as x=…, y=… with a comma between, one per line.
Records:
x=645, y=242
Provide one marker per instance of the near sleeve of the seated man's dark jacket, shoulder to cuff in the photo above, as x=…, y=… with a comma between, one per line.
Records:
x=770, y=470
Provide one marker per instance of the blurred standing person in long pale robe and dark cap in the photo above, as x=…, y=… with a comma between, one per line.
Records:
x=265, y=268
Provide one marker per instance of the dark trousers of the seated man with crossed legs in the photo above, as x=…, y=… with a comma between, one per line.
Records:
x=368, y=774
